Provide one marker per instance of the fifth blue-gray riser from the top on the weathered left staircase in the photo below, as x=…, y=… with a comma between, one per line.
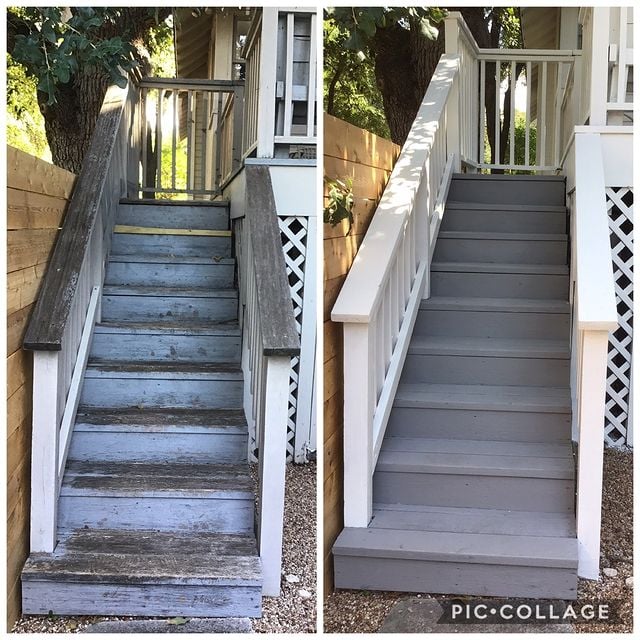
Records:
x=165, y=348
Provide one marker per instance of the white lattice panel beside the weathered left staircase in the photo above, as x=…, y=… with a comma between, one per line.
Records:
x=293, y=230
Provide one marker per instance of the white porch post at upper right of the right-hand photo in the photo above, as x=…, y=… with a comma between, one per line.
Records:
x=599, y=66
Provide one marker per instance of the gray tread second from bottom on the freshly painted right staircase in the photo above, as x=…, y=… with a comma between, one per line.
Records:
x=471, y=457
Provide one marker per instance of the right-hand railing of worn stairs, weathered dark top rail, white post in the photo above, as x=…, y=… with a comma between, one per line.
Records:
x=270, y=340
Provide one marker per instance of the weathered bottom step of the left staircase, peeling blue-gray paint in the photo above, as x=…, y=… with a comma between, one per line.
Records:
x=145, y=573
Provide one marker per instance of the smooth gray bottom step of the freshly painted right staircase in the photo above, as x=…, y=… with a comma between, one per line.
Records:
x=453, y=562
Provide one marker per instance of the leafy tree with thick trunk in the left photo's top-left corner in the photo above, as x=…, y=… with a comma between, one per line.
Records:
x=73, y=54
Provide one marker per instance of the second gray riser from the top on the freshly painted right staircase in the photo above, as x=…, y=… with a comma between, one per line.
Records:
x=503, y=221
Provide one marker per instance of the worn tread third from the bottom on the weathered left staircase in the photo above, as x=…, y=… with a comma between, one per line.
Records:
x=161, y=419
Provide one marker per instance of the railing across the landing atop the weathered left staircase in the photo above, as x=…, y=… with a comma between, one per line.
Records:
x=189, y=133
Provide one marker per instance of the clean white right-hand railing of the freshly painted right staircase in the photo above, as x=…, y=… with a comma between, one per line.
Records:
x=596, y=159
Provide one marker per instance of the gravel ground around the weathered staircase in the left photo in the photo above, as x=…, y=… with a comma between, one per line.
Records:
x=293, y=612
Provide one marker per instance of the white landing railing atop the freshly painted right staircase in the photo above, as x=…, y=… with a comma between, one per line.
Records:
x=488, y=132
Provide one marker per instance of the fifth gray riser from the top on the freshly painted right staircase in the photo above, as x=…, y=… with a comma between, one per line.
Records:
x=492, y=324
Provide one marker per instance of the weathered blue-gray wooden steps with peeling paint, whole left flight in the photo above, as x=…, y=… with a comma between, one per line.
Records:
x=156, y=508
